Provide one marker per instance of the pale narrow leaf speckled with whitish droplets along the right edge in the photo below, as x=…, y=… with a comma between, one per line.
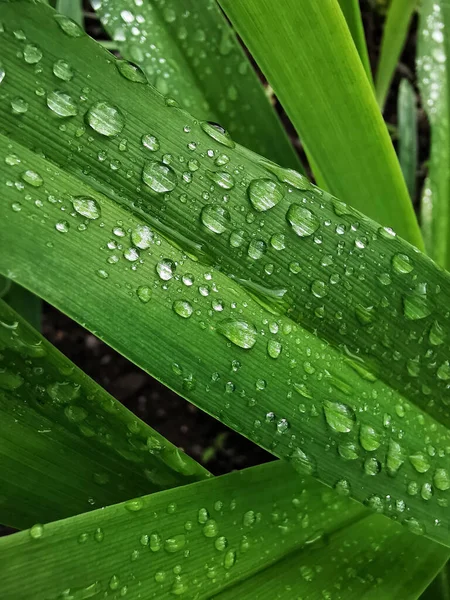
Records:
x=433, y=85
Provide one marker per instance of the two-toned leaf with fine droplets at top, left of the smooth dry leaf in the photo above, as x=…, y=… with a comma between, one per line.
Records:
x=189, y=52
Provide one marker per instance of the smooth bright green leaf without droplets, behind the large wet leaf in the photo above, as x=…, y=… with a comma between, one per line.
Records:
x=307, y=54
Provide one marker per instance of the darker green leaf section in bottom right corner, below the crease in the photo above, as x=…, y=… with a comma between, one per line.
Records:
x=368, y=559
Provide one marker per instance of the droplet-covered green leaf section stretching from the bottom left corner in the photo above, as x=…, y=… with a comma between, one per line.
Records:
x=193, y=541
